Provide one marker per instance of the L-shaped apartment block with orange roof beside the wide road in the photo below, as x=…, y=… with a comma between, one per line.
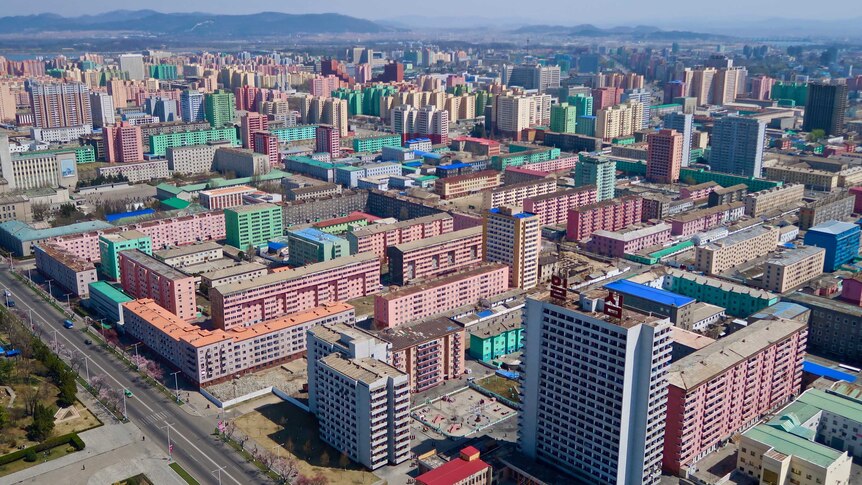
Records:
x=208, y=357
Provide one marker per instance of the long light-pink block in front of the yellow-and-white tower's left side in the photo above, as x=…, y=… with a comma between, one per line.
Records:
x=414, y=303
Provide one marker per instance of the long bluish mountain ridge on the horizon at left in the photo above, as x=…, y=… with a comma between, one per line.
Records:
x=191, y=24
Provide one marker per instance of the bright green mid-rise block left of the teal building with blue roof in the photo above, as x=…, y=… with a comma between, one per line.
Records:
x=253, y=225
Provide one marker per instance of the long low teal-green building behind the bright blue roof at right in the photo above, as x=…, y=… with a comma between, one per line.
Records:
x=738, y=300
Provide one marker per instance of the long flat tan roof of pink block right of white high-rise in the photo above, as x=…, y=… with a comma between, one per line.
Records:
x=713, y=360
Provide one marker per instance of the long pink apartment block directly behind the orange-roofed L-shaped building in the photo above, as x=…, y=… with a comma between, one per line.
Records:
x=294, y=290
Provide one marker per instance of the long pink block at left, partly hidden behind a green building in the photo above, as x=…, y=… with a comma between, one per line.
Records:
x=175, y=231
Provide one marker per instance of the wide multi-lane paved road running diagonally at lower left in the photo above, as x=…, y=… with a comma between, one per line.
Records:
x=195, y=449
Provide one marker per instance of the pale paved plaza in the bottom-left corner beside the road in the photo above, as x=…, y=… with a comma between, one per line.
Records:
x=114, y=452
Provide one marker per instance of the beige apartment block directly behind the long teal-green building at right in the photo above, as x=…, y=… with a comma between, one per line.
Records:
x=726, y=253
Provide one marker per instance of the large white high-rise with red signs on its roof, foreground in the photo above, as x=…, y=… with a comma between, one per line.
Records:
x=594, y=389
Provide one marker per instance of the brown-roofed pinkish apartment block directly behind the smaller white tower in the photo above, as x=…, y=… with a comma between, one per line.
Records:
x=429, y=352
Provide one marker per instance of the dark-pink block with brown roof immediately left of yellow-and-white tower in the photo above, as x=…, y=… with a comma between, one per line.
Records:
x=428, y=258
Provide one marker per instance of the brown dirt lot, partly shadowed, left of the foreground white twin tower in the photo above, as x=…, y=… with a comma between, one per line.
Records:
x=296, y=432
